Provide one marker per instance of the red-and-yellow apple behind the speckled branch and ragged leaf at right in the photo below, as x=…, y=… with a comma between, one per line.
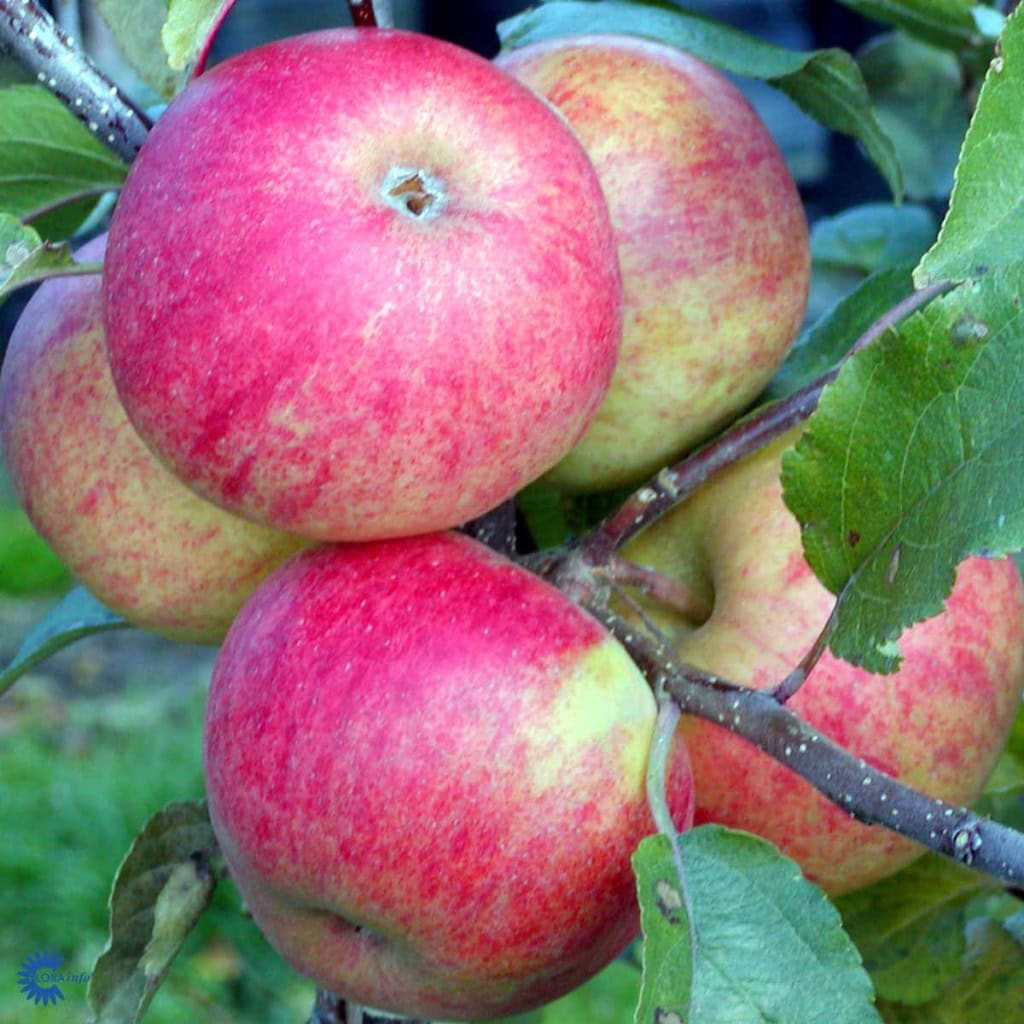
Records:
x=940, y=724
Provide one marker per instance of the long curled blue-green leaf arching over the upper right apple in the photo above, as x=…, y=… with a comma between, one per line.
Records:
x=826, y=84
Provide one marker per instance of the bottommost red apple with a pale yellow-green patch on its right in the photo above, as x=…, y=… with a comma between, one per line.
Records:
x=426, y=771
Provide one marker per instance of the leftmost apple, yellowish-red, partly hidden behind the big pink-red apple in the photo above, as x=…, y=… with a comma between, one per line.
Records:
x=137, y=537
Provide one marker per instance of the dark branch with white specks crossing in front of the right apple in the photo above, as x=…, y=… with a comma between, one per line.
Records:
x=864, y=792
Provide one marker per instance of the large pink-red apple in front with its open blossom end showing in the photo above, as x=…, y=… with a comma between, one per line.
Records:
x=306, y=350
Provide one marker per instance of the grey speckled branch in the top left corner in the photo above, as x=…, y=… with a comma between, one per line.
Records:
x=33, y=38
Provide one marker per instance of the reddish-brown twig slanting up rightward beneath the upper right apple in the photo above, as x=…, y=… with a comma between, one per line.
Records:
x=673, y=485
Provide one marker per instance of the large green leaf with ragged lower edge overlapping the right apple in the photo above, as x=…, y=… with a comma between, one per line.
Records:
x=913, y=462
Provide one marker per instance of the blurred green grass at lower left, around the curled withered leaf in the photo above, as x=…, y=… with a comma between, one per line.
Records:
x=79, y=777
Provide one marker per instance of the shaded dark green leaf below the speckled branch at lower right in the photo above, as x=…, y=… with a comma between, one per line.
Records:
x=910, y=928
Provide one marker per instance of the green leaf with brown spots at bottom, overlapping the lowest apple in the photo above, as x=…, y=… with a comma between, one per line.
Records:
x=771, y=948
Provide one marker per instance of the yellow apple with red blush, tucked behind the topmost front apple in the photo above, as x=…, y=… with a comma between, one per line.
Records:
x=712, y=241
